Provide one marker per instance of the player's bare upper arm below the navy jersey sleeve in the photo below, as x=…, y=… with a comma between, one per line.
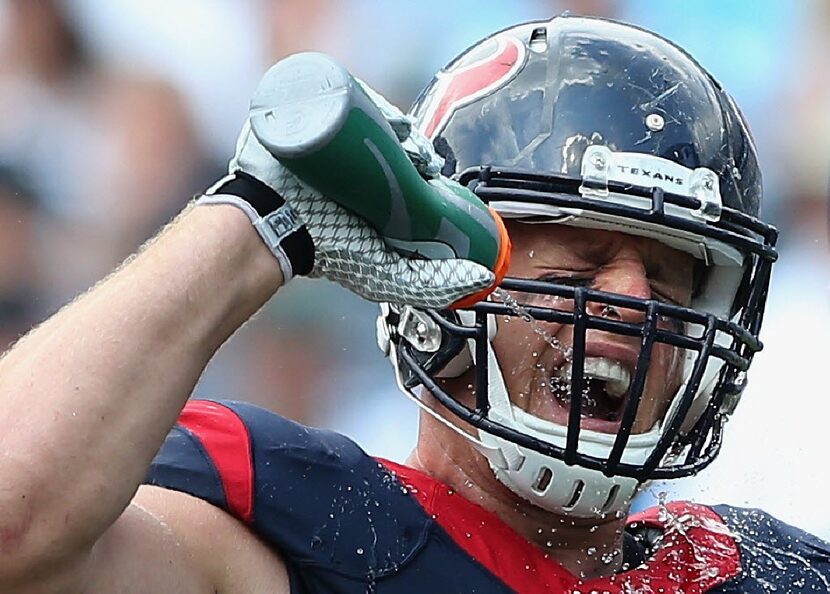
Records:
x=171, y=542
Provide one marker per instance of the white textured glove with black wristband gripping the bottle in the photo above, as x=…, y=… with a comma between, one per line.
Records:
x=345, y=248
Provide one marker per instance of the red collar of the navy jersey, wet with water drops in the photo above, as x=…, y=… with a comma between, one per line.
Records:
x=699, y=552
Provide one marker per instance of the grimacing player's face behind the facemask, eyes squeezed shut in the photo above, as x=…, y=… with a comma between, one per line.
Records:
x=536, y=367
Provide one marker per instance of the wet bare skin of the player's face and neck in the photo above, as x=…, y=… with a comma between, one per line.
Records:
x=608, y=261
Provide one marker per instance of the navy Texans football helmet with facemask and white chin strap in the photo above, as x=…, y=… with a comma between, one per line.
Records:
x=595, y=124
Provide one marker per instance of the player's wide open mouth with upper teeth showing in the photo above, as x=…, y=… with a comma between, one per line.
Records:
x=605, y=389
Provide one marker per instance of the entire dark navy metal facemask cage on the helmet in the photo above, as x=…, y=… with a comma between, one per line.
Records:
x=698, y=447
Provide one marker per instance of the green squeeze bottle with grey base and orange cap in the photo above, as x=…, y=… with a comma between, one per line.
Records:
x=312, y=115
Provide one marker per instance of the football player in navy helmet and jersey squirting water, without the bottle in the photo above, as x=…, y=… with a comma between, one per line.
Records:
x=612, y=354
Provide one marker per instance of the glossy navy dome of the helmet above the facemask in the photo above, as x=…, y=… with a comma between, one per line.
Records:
x=534, y=96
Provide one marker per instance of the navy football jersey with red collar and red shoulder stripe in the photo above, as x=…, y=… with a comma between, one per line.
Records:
x=346, y=523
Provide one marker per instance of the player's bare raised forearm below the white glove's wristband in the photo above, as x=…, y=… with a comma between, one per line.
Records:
x=88, y=397
